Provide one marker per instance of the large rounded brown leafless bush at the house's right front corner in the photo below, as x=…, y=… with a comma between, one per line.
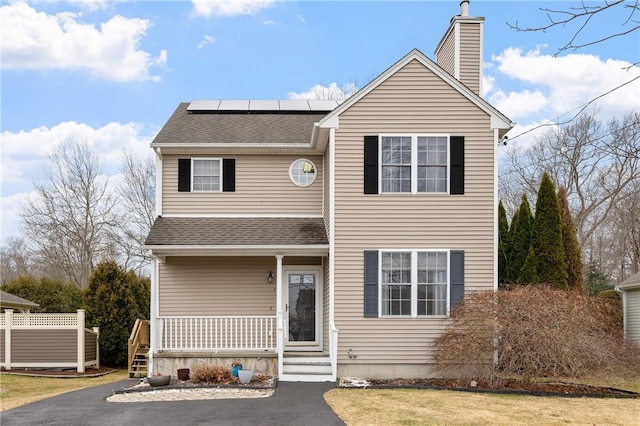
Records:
x=535, y=331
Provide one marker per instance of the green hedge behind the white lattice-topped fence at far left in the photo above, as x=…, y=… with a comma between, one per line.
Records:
x=53, y=296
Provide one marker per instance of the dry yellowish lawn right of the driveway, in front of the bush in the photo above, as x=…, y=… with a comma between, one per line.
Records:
x=434, y=407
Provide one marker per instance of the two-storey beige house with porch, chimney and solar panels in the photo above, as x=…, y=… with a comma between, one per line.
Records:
x=314, y=240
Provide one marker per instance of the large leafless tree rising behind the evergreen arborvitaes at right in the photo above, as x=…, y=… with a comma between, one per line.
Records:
x=599, y=165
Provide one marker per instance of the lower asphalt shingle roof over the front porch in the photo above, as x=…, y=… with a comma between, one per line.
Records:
x=249, y=231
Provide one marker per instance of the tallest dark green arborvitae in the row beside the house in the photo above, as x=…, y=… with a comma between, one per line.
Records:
x=546, y=238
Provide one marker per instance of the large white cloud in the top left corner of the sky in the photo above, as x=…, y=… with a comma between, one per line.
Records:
x=36, y=40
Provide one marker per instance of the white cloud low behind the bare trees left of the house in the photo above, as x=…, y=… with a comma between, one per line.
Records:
x=25, y=155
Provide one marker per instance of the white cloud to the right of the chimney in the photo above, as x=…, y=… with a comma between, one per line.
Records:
x=567, y=82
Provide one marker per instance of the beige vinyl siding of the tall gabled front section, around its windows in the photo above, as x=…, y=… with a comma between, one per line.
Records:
x=413, y=100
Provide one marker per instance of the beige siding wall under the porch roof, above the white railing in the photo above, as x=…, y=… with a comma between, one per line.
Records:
x=217, y=286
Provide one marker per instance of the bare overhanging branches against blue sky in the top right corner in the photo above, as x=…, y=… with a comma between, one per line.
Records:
x=578, y=18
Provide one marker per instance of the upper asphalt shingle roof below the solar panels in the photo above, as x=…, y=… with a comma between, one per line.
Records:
x=237, y=128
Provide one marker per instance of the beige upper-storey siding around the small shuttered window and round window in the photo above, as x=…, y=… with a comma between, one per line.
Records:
x=262, y=187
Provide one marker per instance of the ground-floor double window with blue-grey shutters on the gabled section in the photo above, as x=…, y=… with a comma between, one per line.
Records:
x=412, y=283
